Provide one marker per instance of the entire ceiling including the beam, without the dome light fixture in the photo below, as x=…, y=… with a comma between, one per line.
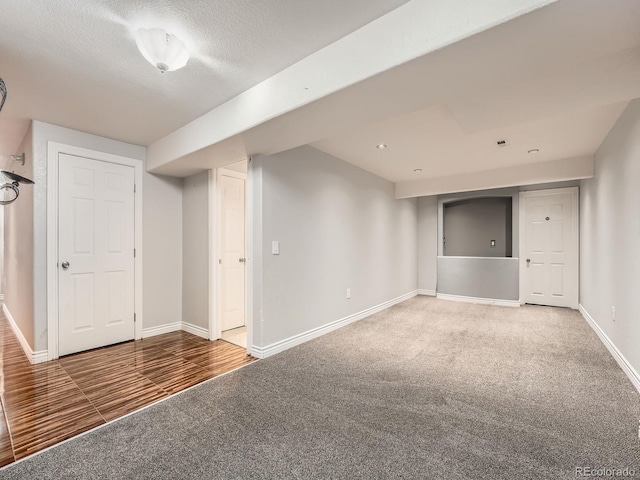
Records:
x=438, y=82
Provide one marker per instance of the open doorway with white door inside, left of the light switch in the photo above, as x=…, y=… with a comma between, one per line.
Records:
x=231, y=259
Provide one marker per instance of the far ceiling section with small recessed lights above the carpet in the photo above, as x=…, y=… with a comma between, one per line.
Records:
x=432, y=142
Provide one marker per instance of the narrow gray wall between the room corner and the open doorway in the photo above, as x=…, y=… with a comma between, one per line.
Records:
x=195, y=251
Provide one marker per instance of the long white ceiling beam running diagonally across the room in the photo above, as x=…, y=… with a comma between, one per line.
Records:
x=411, y=31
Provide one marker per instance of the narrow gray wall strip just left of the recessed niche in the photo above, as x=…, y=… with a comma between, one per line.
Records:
x=427, y=243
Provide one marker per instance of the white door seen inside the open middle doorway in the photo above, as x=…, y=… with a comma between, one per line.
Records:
x=232, y=230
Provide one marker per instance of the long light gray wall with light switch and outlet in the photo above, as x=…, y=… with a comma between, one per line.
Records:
x=339, y=227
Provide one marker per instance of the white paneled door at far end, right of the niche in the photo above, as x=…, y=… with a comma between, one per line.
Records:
x=551, y=247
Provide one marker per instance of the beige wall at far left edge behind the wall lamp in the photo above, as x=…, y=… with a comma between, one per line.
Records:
x=18, y=240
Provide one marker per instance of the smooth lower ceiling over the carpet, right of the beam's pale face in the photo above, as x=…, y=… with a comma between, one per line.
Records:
x=554, y=79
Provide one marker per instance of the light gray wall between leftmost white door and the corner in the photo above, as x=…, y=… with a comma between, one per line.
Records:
x=162, y=250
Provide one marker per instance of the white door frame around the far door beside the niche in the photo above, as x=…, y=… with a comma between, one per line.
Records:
x=575, y=237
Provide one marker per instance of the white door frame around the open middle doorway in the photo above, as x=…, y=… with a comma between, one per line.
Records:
x=215, y=249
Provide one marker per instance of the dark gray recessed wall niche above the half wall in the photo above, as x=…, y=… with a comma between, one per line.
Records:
x=478, y=227
